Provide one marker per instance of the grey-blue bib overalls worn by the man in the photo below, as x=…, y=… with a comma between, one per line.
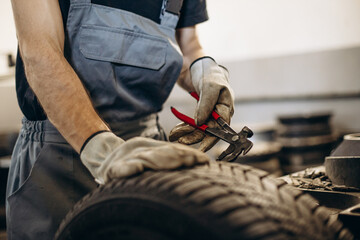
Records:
x=128, y=64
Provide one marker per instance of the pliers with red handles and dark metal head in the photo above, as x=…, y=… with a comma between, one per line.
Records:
x=238, y=141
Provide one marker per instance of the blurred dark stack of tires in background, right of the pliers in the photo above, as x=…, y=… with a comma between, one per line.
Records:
x=306, y=140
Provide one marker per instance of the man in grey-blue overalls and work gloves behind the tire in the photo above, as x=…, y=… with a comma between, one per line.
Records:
x=92, y=74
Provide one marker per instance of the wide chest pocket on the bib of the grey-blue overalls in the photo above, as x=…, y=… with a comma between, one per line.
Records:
x=123, y=46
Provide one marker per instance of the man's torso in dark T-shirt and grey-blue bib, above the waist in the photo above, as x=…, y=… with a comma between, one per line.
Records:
x=124, y=52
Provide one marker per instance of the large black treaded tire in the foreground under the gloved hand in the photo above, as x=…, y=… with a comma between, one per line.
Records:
x=219, y=200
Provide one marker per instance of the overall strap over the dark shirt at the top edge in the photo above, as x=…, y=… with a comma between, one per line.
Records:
x=170, y=12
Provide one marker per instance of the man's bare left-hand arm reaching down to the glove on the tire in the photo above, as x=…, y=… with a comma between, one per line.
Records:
x=40, y=33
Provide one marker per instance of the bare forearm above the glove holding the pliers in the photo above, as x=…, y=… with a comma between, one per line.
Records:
x=191, y=48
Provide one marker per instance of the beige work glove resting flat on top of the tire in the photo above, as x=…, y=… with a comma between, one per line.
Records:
x=107, y=156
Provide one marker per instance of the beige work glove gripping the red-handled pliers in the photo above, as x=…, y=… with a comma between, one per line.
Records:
x=211, y=83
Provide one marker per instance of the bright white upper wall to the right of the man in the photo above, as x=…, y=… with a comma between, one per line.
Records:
x=242, y=29
